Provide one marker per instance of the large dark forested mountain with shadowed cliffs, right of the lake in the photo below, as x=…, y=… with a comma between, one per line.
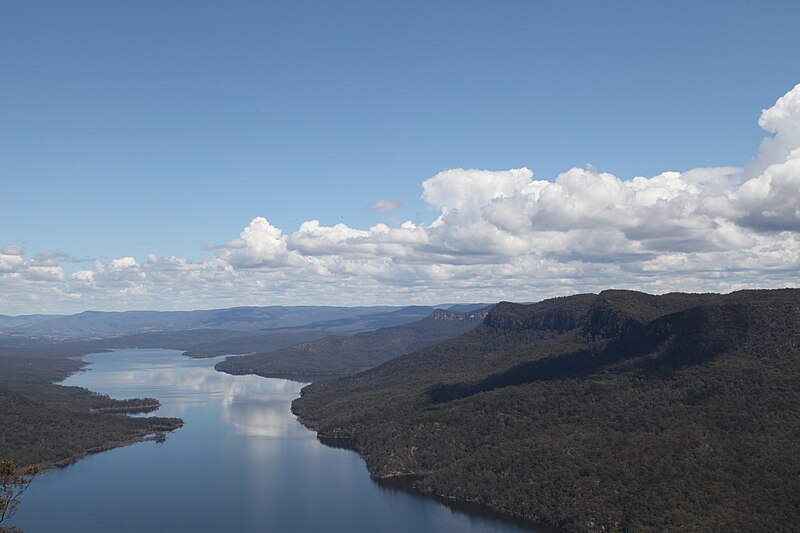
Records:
x=612, y=412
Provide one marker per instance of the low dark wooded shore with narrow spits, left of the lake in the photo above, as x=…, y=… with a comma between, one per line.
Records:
x=46, y=424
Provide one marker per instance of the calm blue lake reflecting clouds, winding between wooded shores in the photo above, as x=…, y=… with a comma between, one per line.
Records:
x=241, y=462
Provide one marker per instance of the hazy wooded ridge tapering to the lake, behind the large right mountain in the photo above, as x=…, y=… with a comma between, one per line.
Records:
x=342, y=355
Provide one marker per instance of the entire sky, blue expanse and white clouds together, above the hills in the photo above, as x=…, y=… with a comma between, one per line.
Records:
x=183, y=155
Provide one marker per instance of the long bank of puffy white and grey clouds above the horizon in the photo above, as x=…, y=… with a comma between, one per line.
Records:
x=498, y=235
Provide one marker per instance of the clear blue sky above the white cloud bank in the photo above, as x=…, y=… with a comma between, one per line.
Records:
x=136, y=128
